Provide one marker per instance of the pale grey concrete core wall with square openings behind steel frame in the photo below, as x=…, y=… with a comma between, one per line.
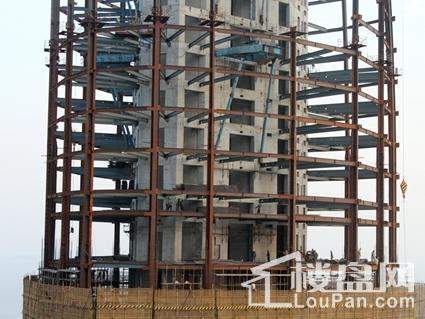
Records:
x=242, y=134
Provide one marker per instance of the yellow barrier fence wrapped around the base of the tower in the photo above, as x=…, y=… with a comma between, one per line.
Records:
x=43, y=301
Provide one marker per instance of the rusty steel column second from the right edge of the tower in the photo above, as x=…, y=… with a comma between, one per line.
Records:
x=380, y=151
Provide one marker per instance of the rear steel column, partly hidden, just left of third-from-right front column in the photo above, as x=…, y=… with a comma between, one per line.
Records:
x=347, y=212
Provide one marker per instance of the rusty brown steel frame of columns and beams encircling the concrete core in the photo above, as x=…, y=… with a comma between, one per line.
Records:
x=351, y=82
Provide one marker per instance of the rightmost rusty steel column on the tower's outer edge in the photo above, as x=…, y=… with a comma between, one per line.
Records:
x=392, y=118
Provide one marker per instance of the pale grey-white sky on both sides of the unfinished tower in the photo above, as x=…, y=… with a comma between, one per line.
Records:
x=24, y=31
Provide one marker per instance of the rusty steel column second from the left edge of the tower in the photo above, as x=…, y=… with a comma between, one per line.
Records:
x=67, y=142
